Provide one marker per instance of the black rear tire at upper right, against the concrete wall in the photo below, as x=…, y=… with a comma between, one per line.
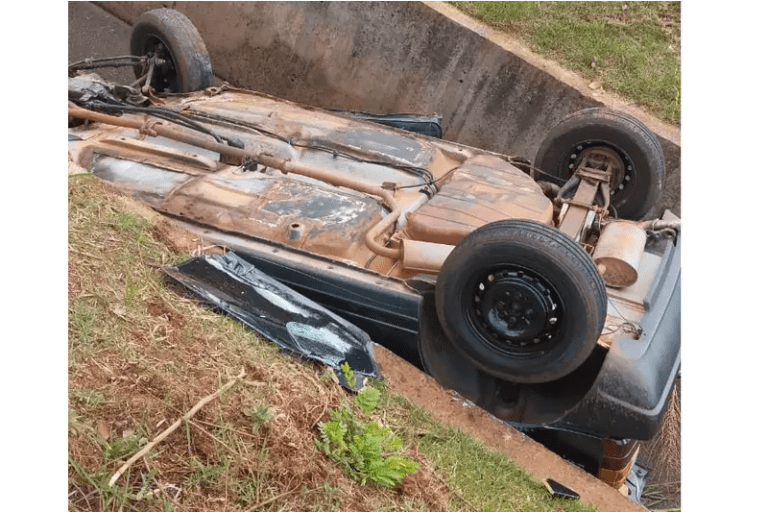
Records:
x=636, y=186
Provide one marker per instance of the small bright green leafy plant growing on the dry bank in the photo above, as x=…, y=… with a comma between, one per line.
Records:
x=367, y=451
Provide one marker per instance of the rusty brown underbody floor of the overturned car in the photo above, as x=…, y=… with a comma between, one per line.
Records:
x=323, y=183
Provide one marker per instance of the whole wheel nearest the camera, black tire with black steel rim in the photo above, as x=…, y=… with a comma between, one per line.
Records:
x=522, y=301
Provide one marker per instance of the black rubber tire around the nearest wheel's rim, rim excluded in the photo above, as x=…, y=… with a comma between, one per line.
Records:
x=548, y=248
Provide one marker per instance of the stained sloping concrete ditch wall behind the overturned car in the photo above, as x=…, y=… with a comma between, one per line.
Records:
x=386, y=57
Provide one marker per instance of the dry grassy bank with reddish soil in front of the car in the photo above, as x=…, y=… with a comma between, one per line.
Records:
x=141, y=355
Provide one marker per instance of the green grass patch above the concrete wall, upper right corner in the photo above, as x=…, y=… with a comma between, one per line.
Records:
x=631, y=48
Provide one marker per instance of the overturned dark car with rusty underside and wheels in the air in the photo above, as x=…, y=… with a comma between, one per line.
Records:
x=537, y=290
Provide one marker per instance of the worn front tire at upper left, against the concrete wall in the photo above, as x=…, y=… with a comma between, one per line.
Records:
x=175, y=38
